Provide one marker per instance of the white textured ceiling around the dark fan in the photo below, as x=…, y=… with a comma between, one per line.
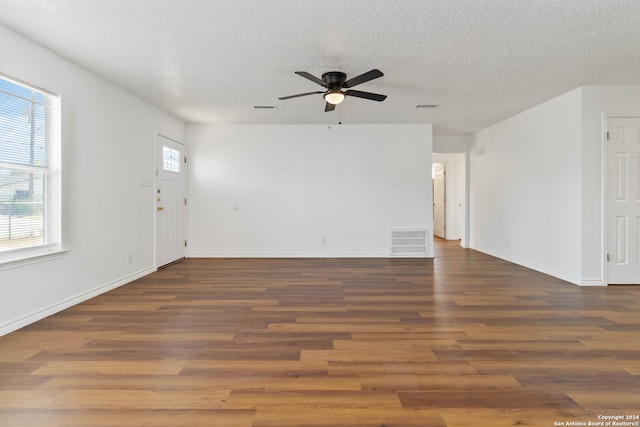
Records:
x=208, y=61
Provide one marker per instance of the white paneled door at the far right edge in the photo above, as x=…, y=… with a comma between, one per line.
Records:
x=623, y=201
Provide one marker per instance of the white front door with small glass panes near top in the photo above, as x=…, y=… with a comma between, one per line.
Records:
x=170, y=201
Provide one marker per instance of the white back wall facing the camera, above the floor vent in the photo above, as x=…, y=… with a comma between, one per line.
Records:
x=279, y=190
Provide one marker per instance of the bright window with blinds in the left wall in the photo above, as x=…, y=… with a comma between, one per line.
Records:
x=29, y=169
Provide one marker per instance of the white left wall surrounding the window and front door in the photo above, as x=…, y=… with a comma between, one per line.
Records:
x=107, y=190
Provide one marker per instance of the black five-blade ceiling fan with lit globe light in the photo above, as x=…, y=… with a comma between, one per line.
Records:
x=335, y=81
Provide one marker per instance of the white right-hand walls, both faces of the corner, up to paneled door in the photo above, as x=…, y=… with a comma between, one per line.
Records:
x=539, y=183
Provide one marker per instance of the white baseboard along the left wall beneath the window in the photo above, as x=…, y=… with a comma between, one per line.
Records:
x=21, y=322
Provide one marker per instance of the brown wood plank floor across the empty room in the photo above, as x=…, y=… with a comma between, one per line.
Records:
x=465, y=340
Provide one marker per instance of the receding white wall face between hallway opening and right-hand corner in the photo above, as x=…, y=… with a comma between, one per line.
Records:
x=526, y=189
